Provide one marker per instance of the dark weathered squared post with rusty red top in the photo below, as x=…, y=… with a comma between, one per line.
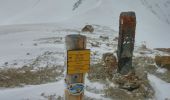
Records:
x=127, y=25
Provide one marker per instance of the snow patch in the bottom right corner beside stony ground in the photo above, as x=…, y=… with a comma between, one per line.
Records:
x=160, y=86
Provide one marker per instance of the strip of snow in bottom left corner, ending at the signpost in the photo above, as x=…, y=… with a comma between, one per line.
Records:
x=33, y=92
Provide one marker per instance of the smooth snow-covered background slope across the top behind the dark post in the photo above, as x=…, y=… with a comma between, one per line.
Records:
x=153, y=17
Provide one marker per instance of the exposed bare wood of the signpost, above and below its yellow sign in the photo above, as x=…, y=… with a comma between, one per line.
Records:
x=74, y=42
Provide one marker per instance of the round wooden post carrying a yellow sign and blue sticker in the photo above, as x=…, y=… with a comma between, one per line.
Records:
x=78, y=63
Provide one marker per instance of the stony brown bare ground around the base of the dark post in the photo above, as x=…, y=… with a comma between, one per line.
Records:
x=131, y=87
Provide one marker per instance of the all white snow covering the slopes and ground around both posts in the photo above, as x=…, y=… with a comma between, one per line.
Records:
x=30, y=28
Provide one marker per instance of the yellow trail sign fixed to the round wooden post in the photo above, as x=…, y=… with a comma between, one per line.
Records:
x=78, y=61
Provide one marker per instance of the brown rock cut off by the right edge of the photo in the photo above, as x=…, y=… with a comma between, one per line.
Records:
x=163, y=61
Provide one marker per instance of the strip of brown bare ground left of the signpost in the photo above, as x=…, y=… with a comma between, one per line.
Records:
x=12, y=77
